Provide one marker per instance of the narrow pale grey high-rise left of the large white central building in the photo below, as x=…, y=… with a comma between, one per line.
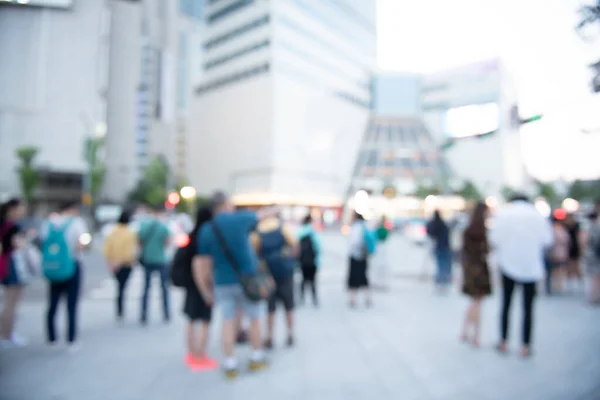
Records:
x=150, y=84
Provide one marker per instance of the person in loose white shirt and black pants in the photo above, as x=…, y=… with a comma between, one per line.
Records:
x=520, y=235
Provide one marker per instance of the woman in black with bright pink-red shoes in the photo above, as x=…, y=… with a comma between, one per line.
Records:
x=198, y=312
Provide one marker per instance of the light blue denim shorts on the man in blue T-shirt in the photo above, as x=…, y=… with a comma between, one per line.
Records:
x=231, y=298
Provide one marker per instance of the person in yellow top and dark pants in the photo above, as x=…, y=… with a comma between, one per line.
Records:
x=120, y=251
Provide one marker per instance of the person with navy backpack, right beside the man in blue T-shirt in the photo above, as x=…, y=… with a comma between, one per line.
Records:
x=277, y=247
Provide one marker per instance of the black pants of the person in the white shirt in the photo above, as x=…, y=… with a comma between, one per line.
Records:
x=508, y=286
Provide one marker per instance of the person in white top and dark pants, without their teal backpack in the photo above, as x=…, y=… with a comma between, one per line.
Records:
x=74, y=229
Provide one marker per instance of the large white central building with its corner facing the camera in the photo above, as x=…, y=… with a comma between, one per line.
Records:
x=284, y=99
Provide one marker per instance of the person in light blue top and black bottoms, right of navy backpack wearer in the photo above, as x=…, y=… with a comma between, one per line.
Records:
x=310, y=258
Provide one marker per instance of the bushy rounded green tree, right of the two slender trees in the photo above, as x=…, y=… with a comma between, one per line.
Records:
x=152, y=188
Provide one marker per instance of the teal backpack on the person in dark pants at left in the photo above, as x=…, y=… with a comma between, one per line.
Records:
x=58, y=263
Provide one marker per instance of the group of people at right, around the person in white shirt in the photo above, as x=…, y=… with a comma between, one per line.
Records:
x=527, y=247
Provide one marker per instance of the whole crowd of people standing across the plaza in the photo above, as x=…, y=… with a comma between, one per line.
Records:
x=240, y=262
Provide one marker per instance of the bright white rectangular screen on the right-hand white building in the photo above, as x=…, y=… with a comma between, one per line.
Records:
x=471, y=120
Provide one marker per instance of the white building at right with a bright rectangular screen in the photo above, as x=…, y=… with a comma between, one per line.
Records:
x=473, y=100
